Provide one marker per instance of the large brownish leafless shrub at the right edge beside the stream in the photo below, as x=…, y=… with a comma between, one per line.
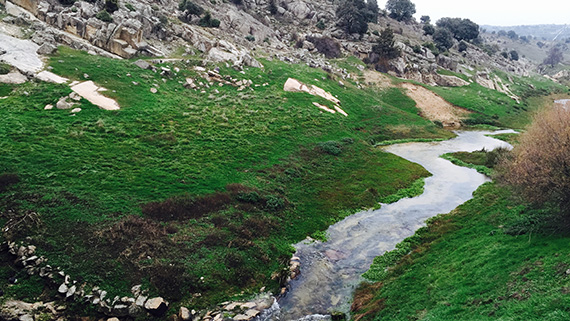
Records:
x=539, y=167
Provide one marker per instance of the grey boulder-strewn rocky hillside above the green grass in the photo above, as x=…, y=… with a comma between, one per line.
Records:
x=142, y=27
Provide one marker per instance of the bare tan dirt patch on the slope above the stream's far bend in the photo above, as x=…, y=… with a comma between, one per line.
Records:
x=433, y=107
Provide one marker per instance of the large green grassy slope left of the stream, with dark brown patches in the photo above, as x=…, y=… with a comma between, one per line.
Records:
x=90, y=176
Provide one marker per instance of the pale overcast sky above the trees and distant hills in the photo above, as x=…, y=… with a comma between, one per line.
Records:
x=495, y=12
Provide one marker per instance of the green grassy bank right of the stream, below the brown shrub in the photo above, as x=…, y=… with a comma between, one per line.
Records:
x=474, y=264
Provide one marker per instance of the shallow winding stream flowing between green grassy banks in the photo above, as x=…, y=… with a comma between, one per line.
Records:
x=331, y=270
